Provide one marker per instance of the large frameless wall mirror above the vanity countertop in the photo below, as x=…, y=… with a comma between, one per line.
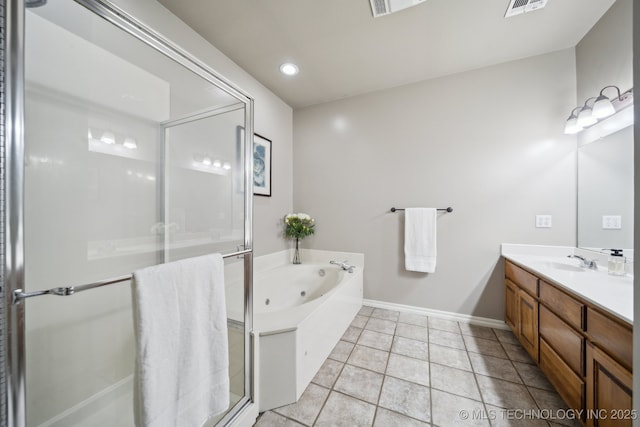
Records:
x=605, y=191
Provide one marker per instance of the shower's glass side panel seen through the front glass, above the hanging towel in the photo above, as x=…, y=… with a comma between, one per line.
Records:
x=204, y=186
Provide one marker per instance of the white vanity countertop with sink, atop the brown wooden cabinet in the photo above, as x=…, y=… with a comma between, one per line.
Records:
x=613, y=294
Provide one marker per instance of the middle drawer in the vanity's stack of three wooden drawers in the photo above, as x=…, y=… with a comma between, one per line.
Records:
x=564, y=339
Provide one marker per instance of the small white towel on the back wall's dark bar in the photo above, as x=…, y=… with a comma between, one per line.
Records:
x=420, y=239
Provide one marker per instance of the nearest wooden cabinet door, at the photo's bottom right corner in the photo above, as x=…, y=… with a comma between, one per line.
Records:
x=609, y=384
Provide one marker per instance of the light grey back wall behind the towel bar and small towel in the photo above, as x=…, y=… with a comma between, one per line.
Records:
x=487, y=142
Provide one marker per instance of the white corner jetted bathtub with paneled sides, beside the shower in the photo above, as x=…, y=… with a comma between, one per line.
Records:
x=300, y=313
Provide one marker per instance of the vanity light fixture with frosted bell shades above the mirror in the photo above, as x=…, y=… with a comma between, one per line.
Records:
x=601, y=108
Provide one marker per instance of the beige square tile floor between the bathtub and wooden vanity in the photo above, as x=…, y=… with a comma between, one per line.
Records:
x=402, y=369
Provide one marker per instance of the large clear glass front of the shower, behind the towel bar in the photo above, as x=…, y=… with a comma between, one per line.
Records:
x=102, y=112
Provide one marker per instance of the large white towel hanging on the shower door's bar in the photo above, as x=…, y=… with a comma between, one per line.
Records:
x=182, y=364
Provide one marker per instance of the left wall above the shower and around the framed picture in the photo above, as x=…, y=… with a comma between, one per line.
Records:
x=273, y=118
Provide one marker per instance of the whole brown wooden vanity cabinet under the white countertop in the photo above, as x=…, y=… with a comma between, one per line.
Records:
x=585, y=352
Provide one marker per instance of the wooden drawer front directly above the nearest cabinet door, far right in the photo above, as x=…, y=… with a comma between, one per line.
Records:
x=612, y=336
